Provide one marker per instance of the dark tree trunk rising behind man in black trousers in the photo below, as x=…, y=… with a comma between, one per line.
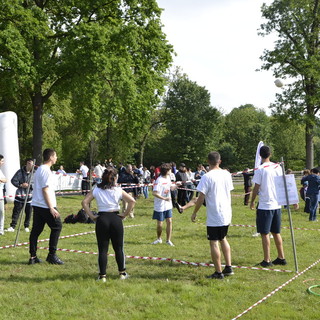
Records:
x=37, y=103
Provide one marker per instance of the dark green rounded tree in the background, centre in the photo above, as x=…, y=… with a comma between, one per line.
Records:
x=193, y=126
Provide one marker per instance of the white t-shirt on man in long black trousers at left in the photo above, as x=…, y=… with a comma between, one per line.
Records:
x=43, y=177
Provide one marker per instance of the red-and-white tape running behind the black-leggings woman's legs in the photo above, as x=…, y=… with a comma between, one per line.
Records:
x=197, y=264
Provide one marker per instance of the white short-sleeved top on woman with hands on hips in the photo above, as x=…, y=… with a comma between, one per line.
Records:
x=107, y=199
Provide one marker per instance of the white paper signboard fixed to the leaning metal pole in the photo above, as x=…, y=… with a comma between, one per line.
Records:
x=291, y=187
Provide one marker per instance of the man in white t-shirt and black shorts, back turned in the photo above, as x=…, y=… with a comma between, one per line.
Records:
x=214, y=188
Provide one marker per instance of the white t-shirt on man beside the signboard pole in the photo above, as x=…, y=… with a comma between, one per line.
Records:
x=264, y=176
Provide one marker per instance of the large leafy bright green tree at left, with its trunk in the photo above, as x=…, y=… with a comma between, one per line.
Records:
x=102, y=54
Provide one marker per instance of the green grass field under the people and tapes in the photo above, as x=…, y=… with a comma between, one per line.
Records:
x=160, y=289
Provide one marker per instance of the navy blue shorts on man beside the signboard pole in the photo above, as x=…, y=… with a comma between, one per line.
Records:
x=268, y=221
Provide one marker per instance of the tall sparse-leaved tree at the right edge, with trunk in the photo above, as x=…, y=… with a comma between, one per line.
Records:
x=296, y=55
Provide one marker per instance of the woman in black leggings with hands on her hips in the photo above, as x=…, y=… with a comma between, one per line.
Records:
x=109, y=224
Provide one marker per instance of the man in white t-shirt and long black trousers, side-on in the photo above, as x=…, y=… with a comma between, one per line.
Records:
x=45, y=211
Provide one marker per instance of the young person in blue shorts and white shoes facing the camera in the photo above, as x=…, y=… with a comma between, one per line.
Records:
x=162, y=203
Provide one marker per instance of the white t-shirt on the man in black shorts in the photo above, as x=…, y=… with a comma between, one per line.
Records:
x=216, y=186
